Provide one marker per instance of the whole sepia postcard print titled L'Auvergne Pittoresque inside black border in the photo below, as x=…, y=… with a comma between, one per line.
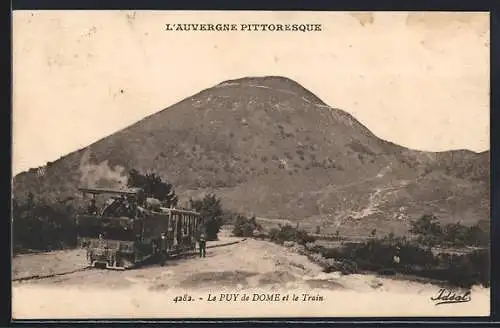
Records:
x=192, y=164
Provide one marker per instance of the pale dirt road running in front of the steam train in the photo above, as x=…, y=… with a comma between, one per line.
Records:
x=249, y=263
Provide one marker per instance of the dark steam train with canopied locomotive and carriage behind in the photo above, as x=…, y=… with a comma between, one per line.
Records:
x=129, y=229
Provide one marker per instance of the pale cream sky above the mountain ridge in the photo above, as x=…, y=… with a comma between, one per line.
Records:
x=420, y=80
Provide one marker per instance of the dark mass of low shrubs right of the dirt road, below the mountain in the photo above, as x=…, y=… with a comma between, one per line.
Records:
x=391, y=254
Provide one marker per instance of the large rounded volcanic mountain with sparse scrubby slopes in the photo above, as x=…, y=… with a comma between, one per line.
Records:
x=269, y=147
